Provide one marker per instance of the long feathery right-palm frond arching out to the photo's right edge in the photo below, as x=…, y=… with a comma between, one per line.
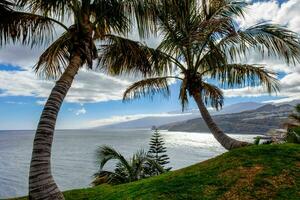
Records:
x=268, y=39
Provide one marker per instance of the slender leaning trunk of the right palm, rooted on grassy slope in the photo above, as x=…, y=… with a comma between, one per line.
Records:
x=226, y=141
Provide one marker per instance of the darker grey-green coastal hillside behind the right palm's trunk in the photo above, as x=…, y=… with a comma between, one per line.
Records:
x=258, y=121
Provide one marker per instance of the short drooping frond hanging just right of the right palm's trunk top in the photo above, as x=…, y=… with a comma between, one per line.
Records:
x=212, y=95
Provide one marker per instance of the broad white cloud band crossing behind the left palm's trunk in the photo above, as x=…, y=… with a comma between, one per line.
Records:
x=88, y=87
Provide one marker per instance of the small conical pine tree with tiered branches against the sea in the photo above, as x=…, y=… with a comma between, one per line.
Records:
x=157, y=150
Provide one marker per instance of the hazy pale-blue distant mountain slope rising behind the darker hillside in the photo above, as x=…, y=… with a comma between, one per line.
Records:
x=178, y=116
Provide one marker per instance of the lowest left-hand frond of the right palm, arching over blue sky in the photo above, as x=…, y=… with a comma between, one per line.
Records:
x=147, y=87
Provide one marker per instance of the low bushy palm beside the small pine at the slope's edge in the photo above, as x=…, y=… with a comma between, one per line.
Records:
x=126, y=171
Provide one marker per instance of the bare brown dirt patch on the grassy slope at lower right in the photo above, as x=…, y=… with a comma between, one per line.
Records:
x=245, y=182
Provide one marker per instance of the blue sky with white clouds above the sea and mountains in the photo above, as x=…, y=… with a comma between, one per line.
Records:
x=96, y=98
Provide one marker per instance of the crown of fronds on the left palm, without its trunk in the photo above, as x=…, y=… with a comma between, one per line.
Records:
x=84, y=23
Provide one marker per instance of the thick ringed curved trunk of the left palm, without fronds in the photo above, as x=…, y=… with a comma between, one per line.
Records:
x=41, y=182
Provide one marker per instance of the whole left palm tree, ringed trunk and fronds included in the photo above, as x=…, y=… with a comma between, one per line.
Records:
x=84, y=23
